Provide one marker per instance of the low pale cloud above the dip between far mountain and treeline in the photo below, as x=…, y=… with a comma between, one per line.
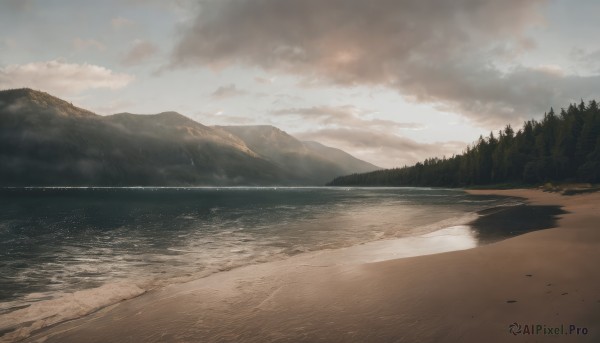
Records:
x=381, y=148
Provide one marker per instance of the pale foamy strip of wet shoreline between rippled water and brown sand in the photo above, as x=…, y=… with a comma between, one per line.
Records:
x=89, y=301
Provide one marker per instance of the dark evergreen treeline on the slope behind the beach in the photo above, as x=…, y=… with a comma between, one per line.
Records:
x=563, y=147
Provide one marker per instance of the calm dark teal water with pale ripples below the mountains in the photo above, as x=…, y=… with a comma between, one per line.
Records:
x=59, y=240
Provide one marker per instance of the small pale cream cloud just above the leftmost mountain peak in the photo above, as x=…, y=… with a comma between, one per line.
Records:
x=61, y=78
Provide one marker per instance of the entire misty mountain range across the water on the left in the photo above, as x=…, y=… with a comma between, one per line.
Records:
x=46, y=141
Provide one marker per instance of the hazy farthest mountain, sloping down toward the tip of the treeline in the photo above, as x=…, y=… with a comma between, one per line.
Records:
x=310, y=160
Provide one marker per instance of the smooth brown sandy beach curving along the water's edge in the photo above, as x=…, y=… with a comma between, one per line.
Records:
x=548, y=279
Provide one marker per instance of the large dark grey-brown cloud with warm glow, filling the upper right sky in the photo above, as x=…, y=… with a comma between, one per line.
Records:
x=459, y=55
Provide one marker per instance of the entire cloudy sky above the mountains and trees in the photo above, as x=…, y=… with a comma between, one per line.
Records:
x=390, y=81
